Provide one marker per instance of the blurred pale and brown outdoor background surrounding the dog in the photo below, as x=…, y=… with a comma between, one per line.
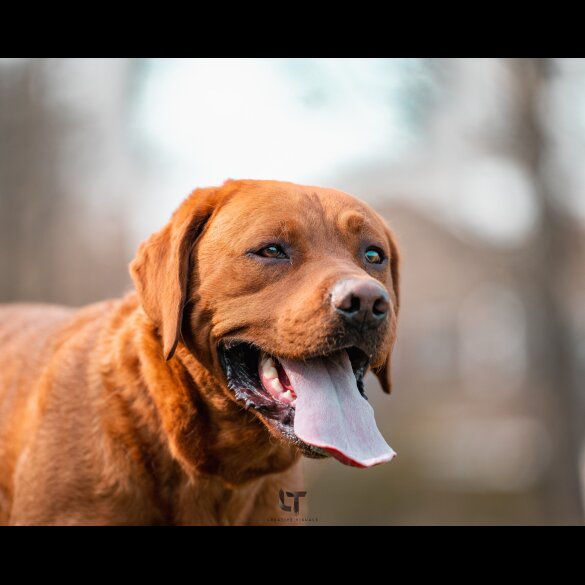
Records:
x=477, y=164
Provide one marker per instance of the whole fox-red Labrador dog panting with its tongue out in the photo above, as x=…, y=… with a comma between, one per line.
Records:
x=258, y=309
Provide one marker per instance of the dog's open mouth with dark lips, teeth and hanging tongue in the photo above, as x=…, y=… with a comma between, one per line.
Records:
x=317, y=403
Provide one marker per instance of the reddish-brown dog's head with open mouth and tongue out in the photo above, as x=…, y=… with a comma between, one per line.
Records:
x=287, y=294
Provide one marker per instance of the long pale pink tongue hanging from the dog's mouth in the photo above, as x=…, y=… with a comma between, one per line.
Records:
x=332, y=414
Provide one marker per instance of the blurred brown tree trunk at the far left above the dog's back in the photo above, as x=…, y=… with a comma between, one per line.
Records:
x=30, y=193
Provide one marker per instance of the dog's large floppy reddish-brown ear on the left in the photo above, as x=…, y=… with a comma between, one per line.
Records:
x=161, y=268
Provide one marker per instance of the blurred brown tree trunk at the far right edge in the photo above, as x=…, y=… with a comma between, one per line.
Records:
x=548, y=257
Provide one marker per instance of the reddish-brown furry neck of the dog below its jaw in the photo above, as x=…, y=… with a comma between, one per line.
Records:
x=208, y=433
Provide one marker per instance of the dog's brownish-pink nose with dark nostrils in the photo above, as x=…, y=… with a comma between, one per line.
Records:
x=360, y=300
